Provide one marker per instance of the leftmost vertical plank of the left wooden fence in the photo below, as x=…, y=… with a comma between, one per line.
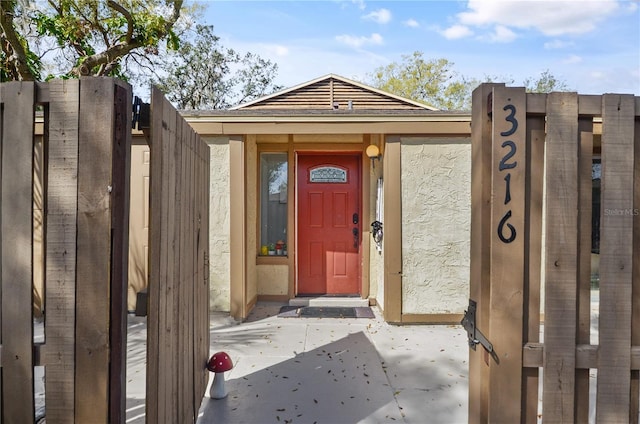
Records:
x=16, y=230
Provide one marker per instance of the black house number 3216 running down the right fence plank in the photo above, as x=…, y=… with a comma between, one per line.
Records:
x=508, y=234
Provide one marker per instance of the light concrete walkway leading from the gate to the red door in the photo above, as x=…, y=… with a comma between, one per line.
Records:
x=328, y=370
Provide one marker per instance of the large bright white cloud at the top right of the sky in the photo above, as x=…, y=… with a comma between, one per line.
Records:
x=550, y=17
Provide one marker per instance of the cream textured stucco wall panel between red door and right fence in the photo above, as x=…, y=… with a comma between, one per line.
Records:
x=436, y=216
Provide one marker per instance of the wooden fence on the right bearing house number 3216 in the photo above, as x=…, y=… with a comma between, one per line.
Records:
x=531, y=233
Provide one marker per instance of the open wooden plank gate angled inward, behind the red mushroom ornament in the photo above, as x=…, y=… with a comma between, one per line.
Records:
x=178, y=320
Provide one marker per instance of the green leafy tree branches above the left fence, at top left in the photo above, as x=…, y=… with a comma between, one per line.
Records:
x=83, y=37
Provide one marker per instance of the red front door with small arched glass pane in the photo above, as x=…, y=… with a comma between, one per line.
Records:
x=329, y=224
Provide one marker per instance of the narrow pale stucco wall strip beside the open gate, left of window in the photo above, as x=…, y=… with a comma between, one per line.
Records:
x=219, y=229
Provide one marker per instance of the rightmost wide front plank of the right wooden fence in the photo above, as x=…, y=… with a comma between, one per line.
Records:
x=616, y=259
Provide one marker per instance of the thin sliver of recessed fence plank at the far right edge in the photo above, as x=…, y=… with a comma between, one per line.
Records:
x=635, y=312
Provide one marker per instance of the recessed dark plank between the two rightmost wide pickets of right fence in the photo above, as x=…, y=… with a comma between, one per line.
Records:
x=585, y=188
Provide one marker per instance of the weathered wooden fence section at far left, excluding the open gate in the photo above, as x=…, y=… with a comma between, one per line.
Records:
x=85, y=167
